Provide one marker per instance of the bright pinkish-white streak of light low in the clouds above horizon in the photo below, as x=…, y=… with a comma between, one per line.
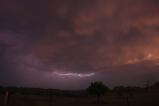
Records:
x=69, y=74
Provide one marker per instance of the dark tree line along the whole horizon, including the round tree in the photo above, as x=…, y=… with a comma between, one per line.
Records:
x=96, y=89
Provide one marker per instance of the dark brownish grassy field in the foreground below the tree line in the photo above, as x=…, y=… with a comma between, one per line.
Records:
x=140, y=99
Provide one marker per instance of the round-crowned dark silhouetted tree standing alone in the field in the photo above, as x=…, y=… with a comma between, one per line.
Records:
x=97, y=89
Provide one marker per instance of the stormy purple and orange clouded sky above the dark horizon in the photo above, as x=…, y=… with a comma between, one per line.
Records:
x=67, y=44
